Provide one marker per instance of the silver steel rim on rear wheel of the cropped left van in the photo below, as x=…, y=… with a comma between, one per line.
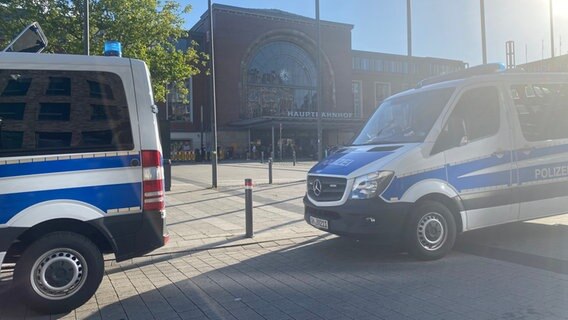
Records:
x=59, y=273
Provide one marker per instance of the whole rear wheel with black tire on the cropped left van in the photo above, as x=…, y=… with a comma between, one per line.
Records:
x=59, y=272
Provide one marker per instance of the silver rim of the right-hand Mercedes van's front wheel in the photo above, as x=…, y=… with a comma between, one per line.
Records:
x=432, y=231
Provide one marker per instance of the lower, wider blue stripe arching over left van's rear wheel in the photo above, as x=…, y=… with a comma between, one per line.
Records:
x=103, y=197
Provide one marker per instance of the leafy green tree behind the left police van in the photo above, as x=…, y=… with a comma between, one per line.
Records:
x=147, y=29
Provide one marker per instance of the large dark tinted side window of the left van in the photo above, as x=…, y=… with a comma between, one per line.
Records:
x=58, y=112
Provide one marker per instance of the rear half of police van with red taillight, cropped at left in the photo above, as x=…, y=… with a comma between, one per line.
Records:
x=80, y=172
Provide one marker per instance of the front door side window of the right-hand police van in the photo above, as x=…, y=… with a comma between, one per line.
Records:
x=475, y=116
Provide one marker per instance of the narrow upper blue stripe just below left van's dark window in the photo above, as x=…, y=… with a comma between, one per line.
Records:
x=54, y=166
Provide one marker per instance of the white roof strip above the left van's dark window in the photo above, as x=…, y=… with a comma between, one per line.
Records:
x=31, y=59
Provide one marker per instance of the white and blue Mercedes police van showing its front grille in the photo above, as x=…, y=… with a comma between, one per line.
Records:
x=477, y=148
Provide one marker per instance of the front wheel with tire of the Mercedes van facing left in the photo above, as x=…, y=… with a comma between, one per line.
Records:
x=431, y=231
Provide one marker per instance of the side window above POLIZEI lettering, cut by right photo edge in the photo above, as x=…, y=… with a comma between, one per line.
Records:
x=542, y=110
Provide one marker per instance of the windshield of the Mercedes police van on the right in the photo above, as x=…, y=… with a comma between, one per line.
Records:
x=404, y=119
